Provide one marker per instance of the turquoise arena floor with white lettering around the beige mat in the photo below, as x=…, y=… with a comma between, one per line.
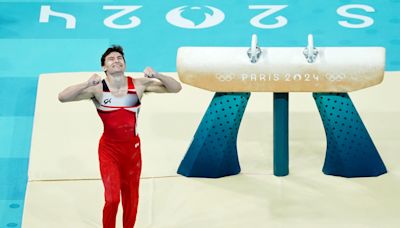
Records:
x=70, y=35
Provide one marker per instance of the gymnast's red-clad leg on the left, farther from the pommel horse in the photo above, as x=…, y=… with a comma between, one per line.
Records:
x=111, y=179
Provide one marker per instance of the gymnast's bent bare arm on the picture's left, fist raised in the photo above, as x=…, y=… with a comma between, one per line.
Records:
x=81, y=91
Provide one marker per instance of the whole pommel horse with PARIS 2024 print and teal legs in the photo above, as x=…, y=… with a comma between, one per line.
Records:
x=328, y=72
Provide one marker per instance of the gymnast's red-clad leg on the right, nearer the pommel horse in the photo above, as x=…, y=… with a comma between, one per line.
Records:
x=130, y=176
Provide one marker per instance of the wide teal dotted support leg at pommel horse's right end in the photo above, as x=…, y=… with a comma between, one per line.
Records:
x=350, y=151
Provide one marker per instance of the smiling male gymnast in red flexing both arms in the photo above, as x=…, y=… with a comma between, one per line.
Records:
x=117, y=100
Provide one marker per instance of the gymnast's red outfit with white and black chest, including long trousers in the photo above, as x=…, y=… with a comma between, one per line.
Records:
x=119, y=154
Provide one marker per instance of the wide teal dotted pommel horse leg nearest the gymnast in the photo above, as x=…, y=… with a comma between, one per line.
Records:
x=213, y=151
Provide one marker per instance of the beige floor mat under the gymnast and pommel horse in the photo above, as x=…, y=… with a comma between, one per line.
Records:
x=64, y=189
